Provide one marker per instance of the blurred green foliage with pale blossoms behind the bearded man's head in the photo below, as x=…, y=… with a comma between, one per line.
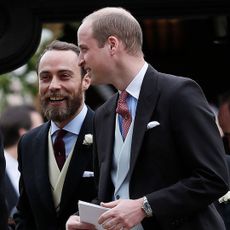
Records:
x=21, y=86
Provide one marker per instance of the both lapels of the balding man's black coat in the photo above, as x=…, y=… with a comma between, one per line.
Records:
x=146, y=104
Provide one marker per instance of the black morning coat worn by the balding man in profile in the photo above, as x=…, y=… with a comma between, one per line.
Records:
x=179, y=165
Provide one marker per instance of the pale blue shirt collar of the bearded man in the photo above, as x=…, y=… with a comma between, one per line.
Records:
x=74, y=125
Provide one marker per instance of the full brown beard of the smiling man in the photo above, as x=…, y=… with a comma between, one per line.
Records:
x=60, y=114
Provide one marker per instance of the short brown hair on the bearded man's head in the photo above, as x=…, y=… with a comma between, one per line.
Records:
x=60, y=45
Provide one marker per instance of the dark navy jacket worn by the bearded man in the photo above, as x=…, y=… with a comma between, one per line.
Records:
x=35, y=207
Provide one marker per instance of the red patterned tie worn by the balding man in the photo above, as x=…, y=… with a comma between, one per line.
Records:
x=123, y=110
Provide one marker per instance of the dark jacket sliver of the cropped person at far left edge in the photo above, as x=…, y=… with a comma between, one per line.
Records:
x=3, y=209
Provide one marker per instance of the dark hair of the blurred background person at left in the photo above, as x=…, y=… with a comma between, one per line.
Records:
x=12, y=120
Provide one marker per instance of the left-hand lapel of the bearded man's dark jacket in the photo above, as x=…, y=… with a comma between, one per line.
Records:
x=41, y=163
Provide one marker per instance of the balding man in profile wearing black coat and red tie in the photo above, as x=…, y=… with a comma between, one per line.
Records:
x=159, y=157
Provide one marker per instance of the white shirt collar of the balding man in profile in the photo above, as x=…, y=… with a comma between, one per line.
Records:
x=134, y=86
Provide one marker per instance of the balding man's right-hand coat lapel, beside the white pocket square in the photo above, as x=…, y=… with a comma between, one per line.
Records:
x=146, y=104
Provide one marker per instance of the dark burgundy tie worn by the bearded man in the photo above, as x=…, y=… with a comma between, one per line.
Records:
x=59, y=148
